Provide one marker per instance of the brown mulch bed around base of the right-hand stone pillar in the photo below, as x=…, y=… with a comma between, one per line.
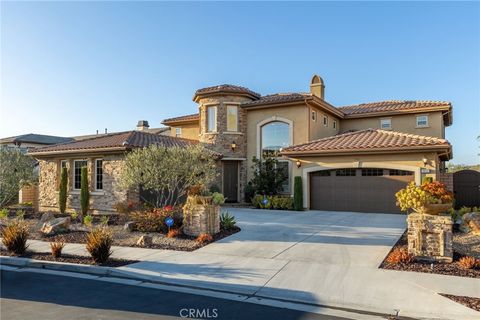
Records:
x=451, y=269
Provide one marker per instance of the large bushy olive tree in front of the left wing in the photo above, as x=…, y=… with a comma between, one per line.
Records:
x=168, y=173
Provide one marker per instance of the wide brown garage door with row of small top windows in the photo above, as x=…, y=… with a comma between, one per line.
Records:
x=362, y=190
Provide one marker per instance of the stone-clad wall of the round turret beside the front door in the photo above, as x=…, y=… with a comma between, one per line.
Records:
x=222, y=140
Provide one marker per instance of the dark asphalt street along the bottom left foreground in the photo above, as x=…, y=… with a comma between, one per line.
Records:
x=36, y=296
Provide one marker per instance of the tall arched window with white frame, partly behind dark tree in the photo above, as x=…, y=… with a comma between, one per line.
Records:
x=274, y=136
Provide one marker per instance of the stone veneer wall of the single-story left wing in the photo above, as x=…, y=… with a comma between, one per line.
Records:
x=102, y=201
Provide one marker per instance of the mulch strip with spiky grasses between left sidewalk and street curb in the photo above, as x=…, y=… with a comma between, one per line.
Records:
x=69, y=258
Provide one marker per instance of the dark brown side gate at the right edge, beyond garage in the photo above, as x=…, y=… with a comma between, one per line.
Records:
x=466, y=186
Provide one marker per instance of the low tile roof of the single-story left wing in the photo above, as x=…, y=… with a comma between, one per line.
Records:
x=120, y=141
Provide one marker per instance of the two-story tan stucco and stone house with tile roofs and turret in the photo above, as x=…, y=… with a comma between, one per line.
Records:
x=351, y=158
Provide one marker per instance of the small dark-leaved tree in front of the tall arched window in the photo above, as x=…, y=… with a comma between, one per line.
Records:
x=268, y=177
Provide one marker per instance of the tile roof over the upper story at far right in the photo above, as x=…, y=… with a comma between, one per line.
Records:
x=391, y=106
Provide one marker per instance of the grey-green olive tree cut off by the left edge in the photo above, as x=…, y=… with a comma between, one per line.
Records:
x=16, y=170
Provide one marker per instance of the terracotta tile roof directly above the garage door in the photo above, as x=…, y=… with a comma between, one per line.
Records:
x=369, y=140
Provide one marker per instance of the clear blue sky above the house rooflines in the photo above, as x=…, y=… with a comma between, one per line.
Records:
x=73, y=68
